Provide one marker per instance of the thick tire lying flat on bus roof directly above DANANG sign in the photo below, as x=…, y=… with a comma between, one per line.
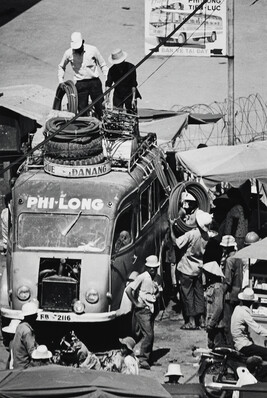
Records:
x=73, y=150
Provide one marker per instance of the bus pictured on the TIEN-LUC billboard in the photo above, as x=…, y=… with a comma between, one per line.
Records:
x=200, y=26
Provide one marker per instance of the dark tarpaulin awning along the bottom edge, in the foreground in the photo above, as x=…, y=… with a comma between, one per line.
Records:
x=55, y=380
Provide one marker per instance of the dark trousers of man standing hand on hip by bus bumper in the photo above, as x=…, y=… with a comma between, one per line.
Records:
x=145, y=321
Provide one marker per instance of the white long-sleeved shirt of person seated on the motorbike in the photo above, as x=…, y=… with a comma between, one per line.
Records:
x=240, y=322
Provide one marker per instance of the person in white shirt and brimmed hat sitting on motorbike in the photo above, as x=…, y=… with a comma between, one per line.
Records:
x=241, y=321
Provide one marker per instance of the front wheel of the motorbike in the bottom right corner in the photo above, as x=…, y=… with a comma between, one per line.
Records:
x=216, y=372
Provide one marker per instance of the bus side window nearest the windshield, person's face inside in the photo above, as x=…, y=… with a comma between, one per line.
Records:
x=124, y=229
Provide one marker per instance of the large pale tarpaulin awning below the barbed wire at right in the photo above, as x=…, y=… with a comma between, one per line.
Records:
x=232, y=164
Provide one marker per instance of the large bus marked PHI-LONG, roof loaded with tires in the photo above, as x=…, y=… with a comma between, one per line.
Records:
x=78, y=232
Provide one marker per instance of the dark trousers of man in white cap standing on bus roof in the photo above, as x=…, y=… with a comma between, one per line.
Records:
x=92, y=88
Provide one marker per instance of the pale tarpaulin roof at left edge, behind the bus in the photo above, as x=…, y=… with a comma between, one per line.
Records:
x=30, y=100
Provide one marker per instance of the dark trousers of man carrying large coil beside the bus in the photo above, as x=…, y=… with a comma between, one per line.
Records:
x=192, y=295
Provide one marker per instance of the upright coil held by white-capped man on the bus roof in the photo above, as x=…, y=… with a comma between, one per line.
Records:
x=67, y=88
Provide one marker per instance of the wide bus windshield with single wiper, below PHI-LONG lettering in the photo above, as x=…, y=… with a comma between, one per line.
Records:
x=83, y=232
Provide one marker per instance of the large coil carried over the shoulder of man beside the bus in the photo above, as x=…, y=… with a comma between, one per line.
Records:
x=199, y=193
